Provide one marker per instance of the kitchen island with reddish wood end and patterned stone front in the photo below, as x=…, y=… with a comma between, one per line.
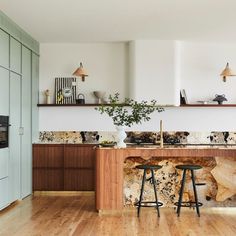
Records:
x=118, y=181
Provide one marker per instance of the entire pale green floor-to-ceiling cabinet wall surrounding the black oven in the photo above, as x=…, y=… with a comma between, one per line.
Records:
x=19, y=69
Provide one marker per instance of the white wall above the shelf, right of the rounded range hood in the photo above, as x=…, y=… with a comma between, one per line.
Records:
x=201, y=65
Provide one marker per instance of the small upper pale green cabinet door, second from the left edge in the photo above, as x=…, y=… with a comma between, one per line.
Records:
x=15, y=55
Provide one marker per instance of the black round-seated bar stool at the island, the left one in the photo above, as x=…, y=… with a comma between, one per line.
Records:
x=155, y=203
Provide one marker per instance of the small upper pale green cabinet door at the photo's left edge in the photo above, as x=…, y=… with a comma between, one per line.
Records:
x=4, y=49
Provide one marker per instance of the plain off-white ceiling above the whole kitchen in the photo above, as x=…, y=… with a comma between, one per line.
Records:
x=58, y=21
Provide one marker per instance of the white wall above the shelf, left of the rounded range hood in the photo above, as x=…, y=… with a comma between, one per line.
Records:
x=106, y=64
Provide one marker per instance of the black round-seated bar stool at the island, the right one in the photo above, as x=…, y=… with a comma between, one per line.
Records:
x=196, y=203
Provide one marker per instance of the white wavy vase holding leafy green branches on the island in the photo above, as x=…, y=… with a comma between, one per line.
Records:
x=128, y=113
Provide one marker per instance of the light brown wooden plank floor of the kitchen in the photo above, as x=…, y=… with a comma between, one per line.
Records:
x=75, y=215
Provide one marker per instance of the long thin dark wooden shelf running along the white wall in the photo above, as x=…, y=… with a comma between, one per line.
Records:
x=97, y=104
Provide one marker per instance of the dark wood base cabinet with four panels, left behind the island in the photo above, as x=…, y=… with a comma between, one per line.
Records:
x=69, y=167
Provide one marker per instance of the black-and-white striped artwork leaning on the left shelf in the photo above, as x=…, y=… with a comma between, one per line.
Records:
x=65, y=90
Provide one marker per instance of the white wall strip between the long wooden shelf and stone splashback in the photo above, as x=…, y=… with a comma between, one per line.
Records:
x=174, y=119
